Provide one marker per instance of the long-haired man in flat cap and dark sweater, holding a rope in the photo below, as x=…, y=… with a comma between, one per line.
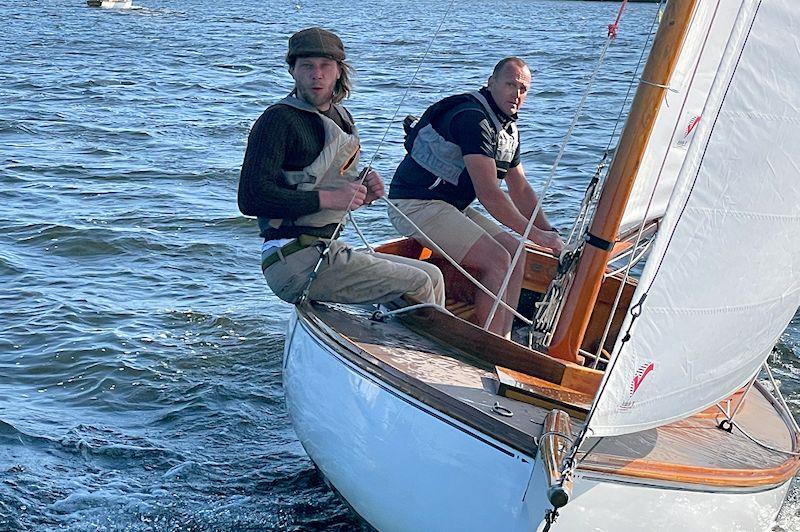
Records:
x=300, y=177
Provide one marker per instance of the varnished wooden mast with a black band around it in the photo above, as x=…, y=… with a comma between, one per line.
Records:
x=581, y=298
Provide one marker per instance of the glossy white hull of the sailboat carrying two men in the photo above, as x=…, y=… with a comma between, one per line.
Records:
x=402, y=465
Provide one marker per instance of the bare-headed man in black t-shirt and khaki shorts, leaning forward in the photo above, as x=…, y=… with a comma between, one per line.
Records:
x=461, y=149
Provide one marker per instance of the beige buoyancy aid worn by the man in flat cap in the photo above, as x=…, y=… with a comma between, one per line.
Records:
x=335, y=166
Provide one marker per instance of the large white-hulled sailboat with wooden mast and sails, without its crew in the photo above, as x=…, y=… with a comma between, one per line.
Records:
x=642, y=401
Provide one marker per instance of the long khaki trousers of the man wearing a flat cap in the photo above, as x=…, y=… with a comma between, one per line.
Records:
x=350, y=276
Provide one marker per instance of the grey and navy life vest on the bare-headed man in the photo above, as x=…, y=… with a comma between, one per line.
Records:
x=442, y=158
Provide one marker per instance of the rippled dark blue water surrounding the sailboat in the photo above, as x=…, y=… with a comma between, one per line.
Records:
x=140, y=349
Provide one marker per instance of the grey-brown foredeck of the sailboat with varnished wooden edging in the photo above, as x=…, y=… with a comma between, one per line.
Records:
x=692, y=451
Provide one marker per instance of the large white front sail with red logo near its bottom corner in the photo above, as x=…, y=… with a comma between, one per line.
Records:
x=723, y=279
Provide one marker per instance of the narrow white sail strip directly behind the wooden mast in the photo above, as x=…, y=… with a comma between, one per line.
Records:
x=681, y=111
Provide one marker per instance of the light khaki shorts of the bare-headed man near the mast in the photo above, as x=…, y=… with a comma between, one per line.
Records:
x=452, y=230
